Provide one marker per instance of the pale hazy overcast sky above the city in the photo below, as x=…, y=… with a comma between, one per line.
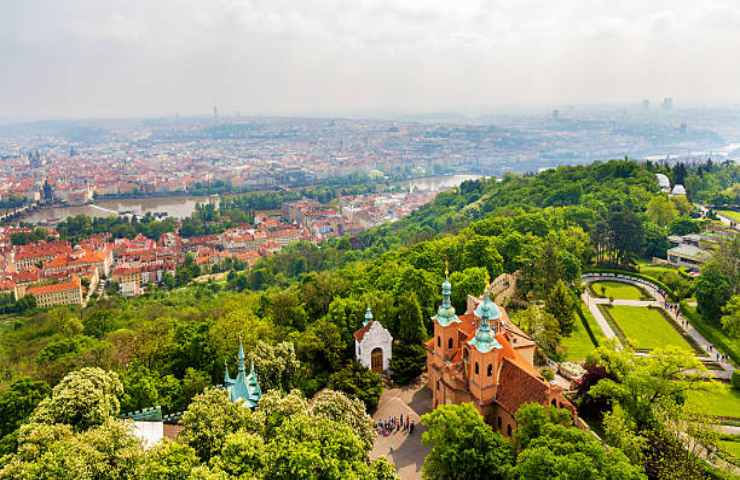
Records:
x=158, y=57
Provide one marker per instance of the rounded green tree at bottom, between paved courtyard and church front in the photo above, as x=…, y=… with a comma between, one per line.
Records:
x=463, y=445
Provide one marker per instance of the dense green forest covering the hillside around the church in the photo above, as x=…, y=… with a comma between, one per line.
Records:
x=296, y=311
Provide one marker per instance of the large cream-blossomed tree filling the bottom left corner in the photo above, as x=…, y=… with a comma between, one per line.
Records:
x=74, y=434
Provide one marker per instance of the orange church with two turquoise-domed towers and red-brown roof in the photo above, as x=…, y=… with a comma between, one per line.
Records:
x=482, y=358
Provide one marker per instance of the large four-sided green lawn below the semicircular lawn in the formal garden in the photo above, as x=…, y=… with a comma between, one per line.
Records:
x=646, y=327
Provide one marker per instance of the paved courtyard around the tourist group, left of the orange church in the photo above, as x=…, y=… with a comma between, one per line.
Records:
x=404, y=450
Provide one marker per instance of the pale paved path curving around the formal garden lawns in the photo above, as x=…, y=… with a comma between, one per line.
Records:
x=679, y=320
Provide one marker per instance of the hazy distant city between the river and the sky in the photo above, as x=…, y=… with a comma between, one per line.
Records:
x=72, y=162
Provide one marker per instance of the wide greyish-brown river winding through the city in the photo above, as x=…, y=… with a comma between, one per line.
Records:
x=182, y=206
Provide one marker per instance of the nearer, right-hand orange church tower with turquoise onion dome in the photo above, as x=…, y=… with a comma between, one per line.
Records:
x=481, y=351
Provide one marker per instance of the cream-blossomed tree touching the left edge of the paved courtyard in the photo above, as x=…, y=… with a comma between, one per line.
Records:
x=350, y=411
